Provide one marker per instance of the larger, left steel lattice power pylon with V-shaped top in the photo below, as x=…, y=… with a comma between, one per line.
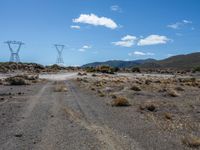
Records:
x=14, y=57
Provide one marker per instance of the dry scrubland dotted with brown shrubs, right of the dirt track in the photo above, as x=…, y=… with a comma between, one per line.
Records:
x=170, y=103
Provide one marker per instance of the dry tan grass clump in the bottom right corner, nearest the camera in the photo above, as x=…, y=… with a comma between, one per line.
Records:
x=191, y=141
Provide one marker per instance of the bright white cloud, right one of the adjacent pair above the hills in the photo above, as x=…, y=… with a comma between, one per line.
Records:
x=153, y=40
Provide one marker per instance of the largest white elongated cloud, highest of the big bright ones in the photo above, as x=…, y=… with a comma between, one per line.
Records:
x=93, y=19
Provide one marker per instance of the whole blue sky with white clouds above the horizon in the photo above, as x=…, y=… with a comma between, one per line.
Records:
x=99, y=30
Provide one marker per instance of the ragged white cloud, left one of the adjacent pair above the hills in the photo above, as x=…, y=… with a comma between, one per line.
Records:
x=126, y=41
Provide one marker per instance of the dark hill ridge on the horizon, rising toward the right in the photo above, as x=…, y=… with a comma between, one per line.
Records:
x=187, y=61
